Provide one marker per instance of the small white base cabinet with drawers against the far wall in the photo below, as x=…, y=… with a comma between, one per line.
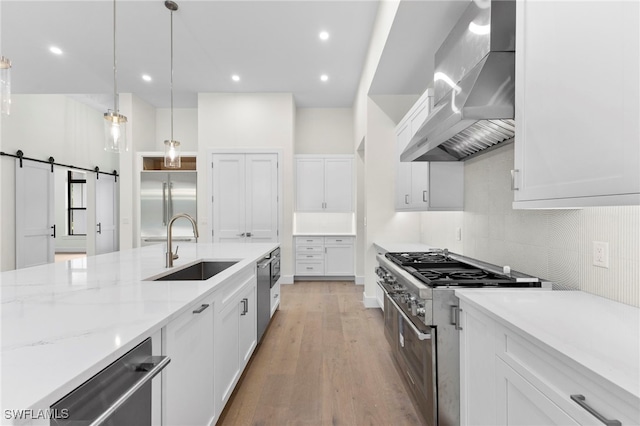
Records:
x=325, y=256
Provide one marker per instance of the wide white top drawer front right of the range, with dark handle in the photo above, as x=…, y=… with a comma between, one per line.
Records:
x=558, y=378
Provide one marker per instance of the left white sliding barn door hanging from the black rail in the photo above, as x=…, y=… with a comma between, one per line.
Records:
x=35, y=223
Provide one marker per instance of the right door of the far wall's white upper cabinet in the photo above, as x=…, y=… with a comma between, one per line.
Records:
x=338, y=188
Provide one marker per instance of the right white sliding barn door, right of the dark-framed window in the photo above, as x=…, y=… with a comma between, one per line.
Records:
x=106, y=214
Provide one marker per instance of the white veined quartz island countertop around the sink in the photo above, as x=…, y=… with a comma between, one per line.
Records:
x=63, y=322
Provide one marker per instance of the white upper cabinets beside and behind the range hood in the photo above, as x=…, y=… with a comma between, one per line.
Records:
x=422, y=186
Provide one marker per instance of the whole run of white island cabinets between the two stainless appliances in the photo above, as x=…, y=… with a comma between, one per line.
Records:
x=209, y=345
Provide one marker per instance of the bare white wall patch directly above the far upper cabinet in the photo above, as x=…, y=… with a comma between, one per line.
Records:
x=324, y=131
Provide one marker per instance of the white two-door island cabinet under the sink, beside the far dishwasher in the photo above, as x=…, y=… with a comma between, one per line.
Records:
x=235, y=332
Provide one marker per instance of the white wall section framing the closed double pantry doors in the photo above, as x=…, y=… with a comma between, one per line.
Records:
x=247, y=121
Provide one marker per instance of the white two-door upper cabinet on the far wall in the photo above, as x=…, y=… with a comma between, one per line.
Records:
x=324, y=184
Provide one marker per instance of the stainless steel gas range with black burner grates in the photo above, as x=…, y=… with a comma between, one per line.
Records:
x=422, y=320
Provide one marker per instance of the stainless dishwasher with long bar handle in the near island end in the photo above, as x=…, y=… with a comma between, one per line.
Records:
x=118, y=395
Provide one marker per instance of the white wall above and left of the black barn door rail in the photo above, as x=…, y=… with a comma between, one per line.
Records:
x=43, y=126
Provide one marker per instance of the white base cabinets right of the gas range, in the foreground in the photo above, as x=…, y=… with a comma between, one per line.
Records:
x=509, y=378
